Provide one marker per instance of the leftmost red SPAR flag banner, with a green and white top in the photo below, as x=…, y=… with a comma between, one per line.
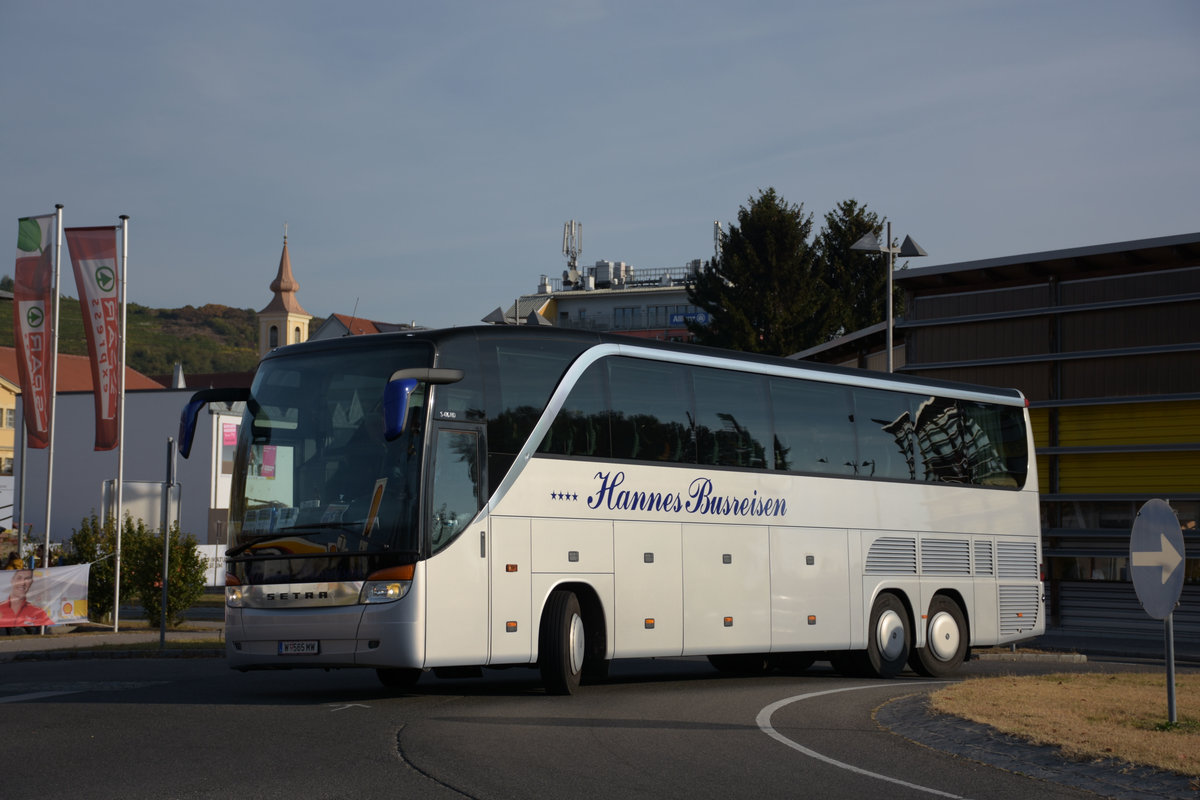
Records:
x=34, y=278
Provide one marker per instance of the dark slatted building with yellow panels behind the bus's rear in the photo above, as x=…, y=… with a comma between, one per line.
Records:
x=1105, y=342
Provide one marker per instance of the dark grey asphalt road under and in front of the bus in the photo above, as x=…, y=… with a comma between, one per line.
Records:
x=667, y=729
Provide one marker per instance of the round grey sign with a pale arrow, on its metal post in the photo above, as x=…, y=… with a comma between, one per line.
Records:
x=1156, y=562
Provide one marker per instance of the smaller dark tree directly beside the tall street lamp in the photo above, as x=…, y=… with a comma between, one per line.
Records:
x=859, y=279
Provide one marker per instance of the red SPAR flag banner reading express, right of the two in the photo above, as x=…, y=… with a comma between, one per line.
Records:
x=98, y=278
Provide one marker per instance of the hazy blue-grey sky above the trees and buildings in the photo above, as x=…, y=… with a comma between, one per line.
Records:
x=425, y=157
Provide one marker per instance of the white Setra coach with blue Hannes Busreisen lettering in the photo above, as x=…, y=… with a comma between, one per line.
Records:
x=489, y=497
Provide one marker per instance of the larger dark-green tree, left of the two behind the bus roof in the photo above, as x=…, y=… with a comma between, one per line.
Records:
x=765, y=294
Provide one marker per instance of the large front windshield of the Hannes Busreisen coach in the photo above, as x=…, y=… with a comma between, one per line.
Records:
x=319, y=494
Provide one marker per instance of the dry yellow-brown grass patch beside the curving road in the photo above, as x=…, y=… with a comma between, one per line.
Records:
x=1090, y=717
